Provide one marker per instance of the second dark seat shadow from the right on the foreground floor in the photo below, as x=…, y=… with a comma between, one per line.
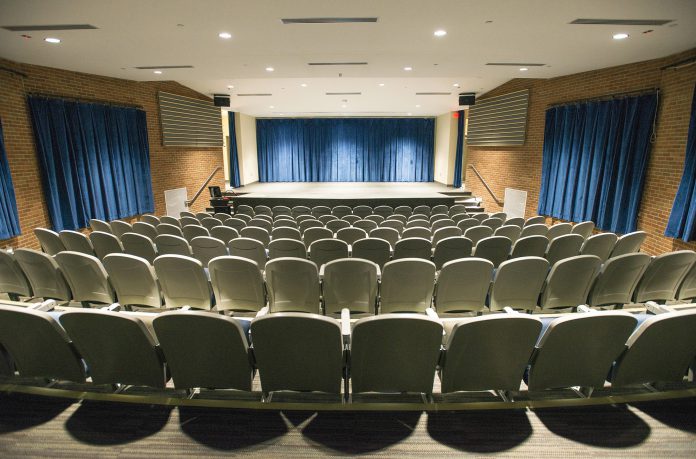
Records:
x=604, y=426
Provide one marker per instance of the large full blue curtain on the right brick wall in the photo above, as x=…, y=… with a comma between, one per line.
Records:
x=595, y=156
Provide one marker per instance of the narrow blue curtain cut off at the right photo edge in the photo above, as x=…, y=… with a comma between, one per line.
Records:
x=682, y=219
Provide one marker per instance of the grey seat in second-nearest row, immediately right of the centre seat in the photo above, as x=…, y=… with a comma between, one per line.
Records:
x=407, y=285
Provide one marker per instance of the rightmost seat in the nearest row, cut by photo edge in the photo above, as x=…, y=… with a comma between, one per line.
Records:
x=660, y=350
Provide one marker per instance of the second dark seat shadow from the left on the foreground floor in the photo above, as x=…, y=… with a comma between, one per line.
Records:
x=110, y=423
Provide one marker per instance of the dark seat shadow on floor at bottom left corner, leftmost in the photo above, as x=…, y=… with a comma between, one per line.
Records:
x=23, y=411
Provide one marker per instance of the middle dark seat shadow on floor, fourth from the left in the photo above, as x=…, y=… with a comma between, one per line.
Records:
x=360, y=432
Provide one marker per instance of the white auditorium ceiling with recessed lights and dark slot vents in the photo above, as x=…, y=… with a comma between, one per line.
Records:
x=185, y=32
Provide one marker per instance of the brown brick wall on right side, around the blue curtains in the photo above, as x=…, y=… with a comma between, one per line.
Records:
x=520, y=167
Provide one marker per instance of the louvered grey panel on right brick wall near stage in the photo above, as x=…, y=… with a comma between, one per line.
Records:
x=500, y=120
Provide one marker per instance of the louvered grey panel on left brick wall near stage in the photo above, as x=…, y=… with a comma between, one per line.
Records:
x=188, y=122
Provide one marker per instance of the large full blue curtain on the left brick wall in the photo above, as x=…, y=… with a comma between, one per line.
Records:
x=95, y=161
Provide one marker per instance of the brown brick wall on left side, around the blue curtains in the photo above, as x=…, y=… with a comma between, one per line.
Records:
x=171, y=167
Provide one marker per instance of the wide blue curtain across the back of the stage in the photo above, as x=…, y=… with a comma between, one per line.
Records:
x=346, y=149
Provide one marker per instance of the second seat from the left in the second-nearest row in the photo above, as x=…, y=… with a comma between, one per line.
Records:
x=44, y=275
